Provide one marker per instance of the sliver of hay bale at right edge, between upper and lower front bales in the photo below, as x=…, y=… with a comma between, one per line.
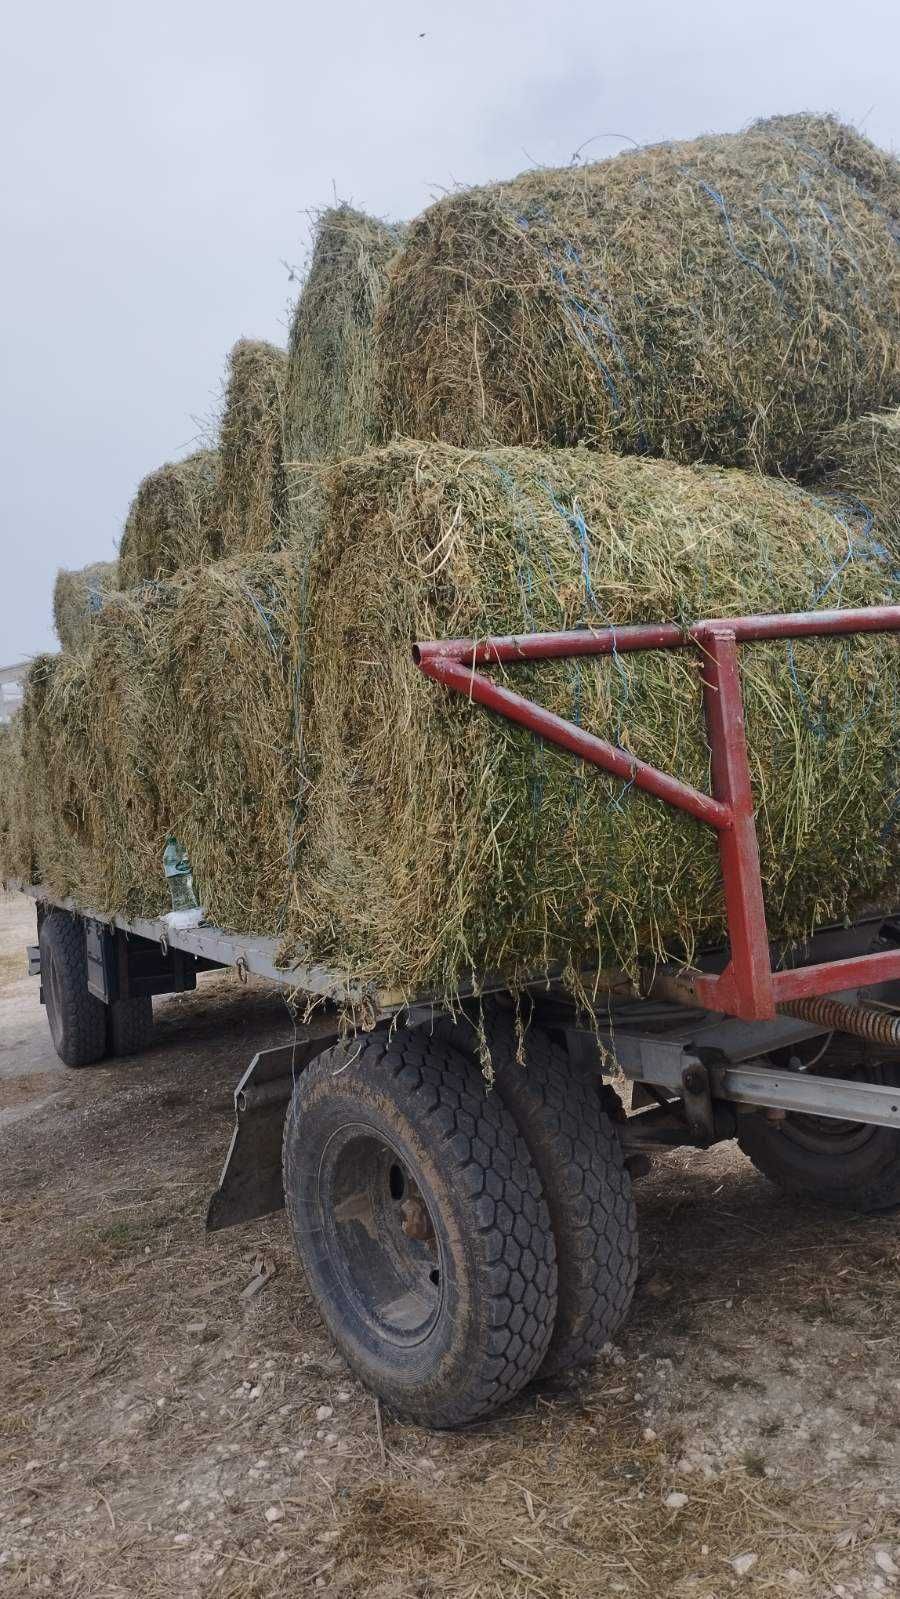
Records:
x=862, y=460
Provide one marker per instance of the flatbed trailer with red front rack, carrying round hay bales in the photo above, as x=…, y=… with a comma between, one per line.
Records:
x=460, y=1179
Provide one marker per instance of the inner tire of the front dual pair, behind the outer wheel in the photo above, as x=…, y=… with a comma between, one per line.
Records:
x=559, y=1106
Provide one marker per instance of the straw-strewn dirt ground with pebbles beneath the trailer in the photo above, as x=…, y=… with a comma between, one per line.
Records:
x=164, y=1437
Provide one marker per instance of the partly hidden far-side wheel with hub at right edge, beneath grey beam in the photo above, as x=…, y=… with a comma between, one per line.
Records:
x=843, y=1163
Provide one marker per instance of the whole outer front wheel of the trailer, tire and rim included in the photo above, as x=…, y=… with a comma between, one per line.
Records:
x=421, y=1224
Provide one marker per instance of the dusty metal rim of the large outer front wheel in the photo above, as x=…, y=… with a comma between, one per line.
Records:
x=380, y=1235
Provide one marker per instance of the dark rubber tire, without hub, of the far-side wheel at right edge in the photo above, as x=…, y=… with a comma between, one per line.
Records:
x=866, y=1179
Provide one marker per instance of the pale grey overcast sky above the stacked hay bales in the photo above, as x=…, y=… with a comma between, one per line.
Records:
x=161, y=164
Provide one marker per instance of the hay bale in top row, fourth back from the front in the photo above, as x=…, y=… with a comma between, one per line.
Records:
x=172, y=524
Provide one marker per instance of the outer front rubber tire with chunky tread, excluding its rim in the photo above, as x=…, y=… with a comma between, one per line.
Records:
x=488, y=1208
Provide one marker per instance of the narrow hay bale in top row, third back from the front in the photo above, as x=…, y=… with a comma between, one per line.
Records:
x=252, y=482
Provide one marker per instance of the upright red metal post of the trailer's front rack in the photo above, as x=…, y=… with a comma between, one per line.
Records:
x=749, y=976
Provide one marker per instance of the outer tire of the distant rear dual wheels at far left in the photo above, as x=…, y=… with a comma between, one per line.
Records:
x=78, y=1019
